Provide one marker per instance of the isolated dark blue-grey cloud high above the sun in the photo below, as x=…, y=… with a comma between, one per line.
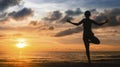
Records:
x=22, y=14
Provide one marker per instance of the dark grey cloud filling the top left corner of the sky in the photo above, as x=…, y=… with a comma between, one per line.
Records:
x=4, y=4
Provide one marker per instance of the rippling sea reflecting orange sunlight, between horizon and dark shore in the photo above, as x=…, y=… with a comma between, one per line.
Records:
x=43, y=57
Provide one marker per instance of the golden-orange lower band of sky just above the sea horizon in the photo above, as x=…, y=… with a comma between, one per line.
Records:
x=45, y=41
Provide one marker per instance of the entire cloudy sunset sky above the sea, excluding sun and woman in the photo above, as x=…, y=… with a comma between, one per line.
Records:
x=42, y=23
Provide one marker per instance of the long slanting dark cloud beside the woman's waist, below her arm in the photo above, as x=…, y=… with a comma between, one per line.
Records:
x=68, y=32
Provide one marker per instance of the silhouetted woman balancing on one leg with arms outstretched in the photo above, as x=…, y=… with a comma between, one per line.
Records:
x=88, y=35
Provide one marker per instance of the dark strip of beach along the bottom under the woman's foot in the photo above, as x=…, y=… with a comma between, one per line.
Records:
x=59, y=64
